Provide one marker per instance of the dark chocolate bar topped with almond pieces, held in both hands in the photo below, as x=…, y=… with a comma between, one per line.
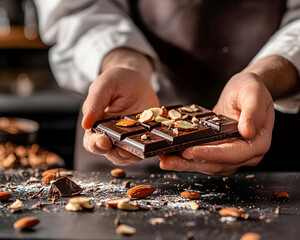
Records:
x=167, y=129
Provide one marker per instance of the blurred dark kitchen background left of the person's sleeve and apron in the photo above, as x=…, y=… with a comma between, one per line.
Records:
x=27, y=87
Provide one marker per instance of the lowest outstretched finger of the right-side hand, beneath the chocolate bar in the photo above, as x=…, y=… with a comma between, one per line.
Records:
x=177, y=163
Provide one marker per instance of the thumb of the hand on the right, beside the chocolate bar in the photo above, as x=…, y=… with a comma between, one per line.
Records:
x=253, y=109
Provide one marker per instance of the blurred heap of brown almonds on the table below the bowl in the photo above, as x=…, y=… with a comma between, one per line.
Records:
x=20, y=156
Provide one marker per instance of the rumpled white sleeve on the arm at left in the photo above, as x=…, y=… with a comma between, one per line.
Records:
x=82, y=33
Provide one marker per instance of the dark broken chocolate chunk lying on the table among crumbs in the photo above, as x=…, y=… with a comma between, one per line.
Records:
x=64, y=187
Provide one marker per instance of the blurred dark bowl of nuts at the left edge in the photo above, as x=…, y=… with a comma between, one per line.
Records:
x=18, y=130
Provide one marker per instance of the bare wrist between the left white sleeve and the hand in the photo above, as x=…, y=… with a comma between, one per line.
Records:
x=128, y=59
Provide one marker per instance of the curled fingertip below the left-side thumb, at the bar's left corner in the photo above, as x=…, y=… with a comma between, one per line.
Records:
x=96, y=143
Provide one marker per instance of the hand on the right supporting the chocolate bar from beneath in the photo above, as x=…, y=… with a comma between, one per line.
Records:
x=246, y=99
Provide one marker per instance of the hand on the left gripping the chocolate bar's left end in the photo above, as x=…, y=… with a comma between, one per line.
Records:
x=117, y=91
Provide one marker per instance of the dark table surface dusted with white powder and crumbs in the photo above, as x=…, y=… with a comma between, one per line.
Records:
x=252, y=193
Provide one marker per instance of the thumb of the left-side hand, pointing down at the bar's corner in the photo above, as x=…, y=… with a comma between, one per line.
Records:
x=98, y=98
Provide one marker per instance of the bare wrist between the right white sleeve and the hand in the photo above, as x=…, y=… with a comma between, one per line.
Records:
x=277, y=73
